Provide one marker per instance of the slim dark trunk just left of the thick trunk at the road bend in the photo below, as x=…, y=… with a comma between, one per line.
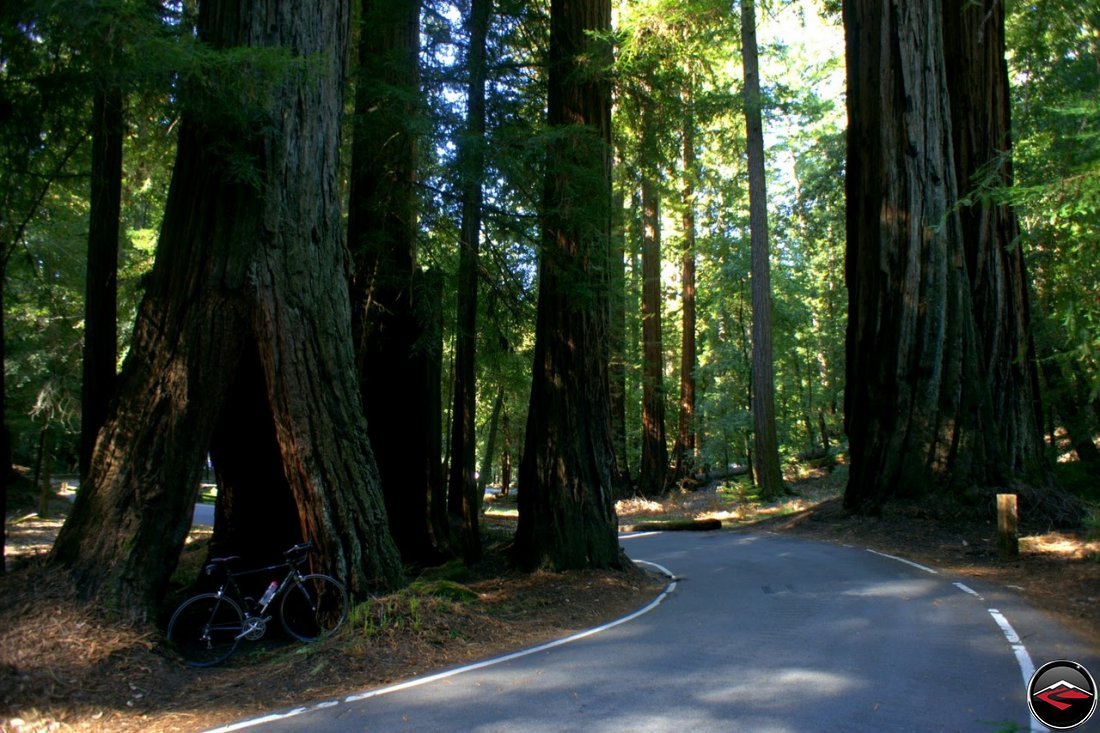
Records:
x=471, y=170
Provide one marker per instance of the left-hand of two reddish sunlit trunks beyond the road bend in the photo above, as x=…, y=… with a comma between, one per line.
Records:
x=654, y=472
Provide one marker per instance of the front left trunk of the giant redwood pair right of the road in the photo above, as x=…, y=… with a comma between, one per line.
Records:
x=918, y=411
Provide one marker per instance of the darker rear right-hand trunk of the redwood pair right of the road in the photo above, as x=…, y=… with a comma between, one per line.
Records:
x=982, y=139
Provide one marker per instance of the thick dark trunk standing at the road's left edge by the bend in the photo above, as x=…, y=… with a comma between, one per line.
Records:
x=567, y=515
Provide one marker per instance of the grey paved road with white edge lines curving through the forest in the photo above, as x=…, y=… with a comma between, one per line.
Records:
x=761, y=633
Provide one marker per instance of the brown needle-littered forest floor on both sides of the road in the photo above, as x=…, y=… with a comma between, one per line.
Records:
x=64, y=669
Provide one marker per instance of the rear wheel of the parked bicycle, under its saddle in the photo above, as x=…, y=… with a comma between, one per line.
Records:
x=205, y=629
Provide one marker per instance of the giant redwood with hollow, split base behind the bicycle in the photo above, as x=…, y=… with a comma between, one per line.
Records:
x=244, y=312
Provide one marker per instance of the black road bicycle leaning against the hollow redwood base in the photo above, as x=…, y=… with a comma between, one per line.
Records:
x=207, y=628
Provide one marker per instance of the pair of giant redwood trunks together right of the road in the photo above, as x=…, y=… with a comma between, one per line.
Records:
x=940, y=398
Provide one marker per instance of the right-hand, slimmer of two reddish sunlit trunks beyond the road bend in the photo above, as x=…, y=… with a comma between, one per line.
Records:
x=686, y=447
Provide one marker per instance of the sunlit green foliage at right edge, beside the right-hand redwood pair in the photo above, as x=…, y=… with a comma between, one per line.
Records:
x=1057, y=159
